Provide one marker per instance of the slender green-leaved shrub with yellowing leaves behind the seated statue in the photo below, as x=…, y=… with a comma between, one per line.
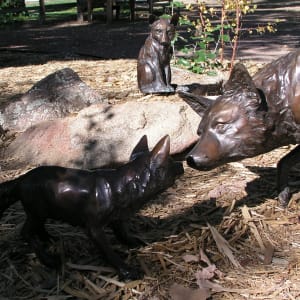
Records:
x=210, y=29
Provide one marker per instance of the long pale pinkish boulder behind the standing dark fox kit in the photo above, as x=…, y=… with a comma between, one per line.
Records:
x=104, y=134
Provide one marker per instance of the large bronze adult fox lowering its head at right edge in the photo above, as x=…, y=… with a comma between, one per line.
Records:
x=253, y=116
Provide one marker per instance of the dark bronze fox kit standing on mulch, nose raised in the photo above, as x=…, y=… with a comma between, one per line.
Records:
x=91, y=199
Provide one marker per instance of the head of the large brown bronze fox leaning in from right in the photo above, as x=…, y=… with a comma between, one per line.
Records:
x=233, y=126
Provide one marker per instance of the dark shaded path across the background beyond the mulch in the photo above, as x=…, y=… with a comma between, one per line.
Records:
x=122, y=39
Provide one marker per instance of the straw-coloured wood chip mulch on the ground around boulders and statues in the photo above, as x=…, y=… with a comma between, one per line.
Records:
x=213, y=235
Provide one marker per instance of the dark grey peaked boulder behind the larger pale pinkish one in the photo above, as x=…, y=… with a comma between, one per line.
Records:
x=55, y=96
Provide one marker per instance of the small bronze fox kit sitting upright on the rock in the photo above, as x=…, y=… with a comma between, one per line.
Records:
x=153, y=67
